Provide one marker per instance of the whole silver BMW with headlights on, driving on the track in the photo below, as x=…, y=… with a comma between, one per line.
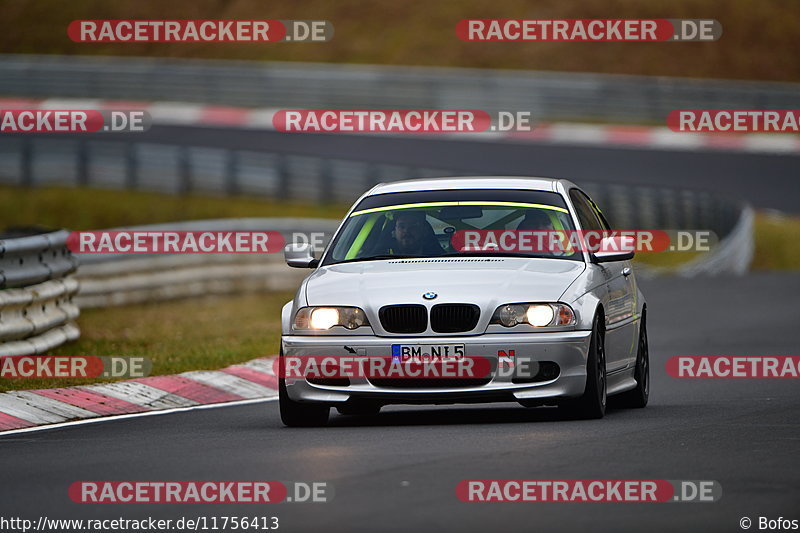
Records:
x=461, y=290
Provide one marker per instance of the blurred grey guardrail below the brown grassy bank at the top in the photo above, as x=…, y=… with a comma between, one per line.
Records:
x=548, y=95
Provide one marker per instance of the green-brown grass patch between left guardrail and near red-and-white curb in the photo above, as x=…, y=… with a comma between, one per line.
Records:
x=197, y=334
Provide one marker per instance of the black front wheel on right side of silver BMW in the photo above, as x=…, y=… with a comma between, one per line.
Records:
x=592, y=404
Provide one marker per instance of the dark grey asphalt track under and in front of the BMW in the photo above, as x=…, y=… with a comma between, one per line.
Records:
x=397, y=471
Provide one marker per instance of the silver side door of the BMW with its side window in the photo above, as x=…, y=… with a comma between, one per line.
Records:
x=620, y=291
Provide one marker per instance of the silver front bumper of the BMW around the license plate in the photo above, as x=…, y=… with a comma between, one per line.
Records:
x=568, y=349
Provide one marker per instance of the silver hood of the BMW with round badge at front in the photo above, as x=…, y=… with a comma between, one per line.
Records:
x=487, y=282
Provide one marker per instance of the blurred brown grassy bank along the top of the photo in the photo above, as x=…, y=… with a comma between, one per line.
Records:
x=758, y=42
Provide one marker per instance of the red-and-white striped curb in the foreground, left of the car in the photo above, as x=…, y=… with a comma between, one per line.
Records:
x=44, y=408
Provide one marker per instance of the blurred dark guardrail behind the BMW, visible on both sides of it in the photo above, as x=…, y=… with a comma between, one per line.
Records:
x=180, y=169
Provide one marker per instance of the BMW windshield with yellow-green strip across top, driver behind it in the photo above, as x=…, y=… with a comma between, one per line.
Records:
x=453, y=223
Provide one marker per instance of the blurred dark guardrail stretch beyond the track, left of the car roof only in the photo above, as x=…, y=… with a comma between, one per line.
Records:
x=169, y=168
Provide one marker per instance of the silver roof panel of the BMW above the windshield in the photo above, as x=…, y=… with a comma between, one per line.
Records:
x=467, y=182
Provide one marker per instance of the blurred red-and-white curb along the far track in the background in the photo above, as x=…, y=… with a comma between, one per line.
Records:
x=652, y=137
